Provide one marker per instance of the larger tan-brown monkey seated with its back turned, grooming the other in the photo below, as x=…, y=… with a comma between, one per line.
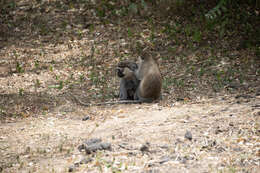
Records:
x=148, y=73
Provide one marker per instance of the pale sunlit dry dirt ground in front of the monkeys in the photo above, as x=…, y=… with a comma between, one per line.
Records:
x=225, y=138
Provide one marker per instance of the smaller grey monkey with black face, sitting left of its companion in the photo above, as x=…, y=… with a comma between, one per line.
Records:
x=128, y=81
